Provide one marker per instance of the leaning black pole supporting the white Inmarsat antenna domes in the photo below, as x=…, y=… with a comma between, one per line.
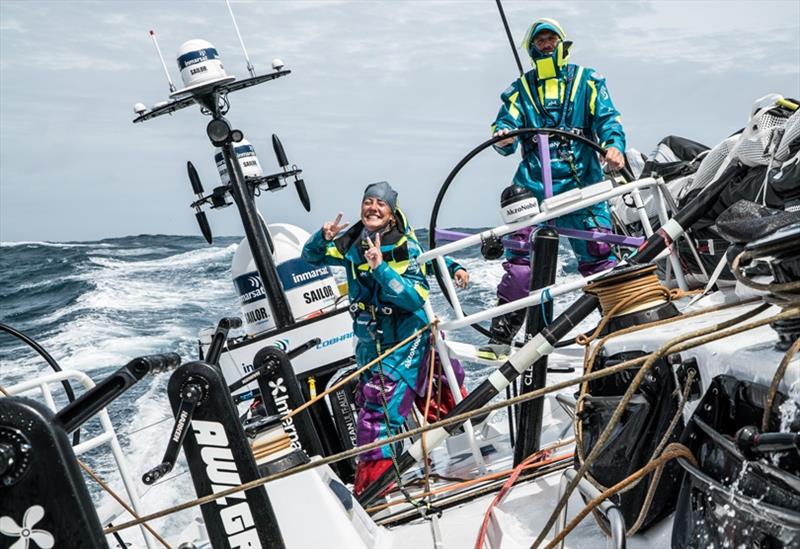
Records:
x=257, y=239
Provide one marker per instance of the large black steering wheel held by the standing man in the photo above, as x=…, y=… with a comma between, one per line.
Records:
x=472, y=154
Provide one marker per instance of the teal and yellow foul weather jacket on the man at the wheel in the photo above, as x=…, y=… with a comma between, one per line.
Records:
x=575, y=99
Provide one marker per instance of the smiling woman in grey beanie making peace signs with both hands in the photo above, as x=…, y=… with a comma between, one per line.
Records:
x=387, y=288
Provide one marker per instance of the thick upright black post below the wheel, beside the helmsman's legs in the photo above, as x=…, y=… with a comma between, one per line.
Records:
x=544, y=261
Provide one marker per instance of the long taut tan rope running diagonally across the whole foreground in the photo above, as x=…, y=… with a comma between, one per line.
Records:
x=454, y=420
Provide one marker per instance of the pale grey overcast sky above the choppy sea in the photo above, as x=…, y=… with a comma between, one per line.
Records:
x=391, y=90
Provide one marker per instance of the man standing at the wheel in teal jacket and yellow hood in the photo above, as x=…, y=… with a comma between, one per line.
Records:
x=555, y=94
